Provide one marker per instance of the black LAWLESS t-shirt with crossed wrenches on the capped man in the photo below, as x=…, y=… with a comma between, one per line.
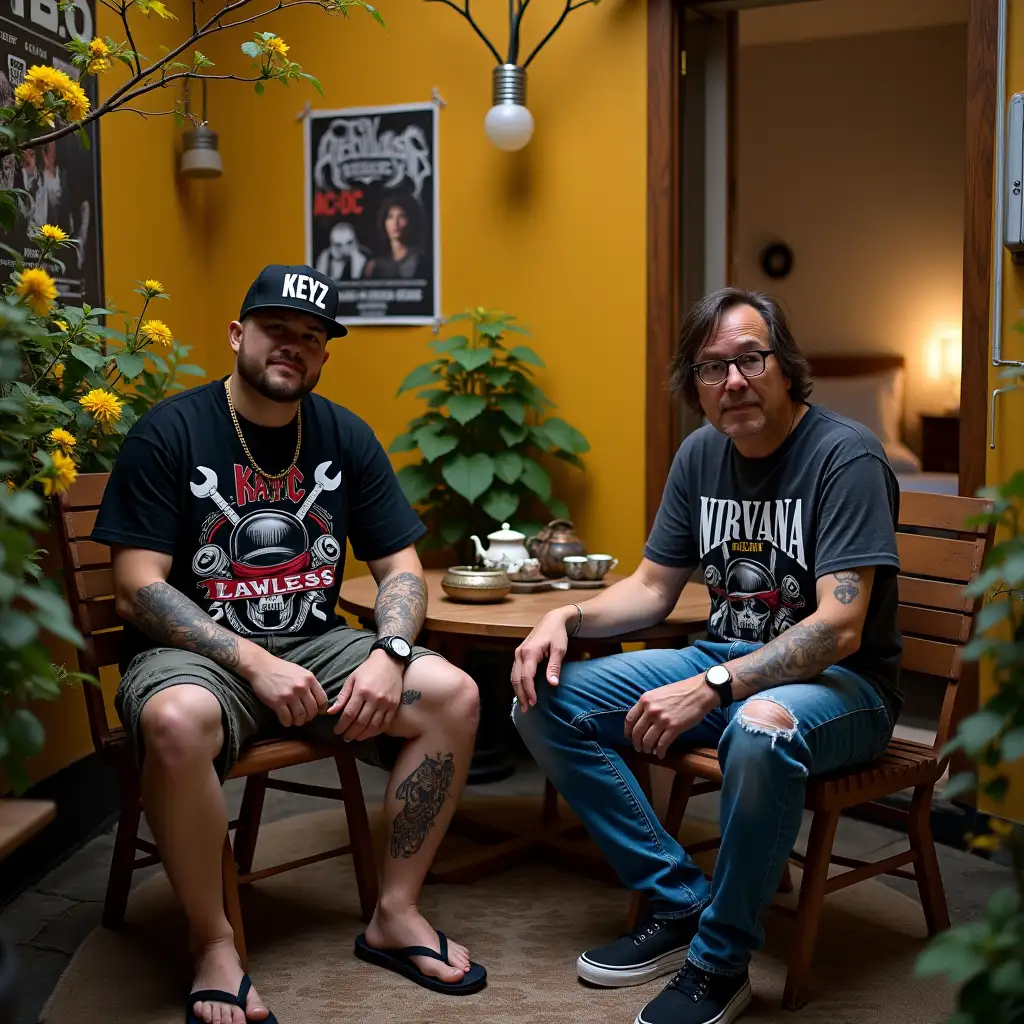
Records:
x=262, y=557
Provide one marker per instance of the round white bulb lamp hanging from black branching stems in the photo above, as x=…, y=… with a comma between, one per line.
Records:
x=509, y=124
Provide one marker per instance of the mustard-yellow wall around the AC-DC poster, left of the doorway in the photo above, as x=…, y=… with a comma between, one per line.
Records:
x=556, y=234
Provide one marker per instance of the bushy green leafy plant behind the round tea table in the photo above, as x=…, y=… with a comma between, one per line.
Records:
x=484, y=437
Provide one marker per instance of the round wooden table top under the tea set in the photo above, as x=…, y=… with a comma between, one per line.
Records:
x=517, y=615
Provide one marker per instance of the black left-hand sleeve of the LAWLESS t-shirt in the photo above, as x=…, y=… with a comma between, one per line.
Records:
x=141, y=506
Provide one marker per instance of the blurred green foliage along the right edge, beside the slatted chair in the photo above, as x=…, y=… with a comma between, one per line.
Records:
x=986, y=959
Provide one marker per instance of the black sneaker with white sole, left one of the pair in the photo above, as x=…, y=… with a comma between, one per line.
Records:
x=656, y=949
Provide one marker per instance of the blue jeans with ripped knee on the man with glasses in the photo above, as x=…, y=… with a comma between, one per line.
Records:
x=577, y=732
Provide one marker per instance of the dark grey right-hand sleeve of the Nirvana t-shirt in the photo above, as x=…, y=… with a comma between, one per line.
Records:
x=858, y=511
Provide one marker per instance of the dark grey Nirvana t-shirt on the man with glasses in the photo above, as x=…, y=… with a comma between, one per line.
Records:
x=763, y=531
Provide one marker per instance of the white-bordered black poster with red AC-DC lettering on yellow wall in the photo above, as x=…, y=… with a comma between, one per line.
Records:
x=372, y=211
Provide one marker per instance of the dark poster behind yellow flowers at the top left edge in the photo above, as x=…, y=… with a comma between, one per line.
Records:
x=62, y=179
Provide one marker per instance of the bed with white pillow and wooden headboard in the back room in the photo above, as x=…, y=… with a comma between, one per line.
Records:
x=871, y=390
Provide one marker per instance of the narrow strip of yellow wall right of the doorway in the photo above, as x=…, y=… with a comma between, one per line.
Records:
x=1009, y=454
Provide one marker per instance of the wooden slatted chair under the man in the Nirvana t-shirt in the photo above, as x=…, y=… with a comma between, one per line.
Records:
x=940, y=554
